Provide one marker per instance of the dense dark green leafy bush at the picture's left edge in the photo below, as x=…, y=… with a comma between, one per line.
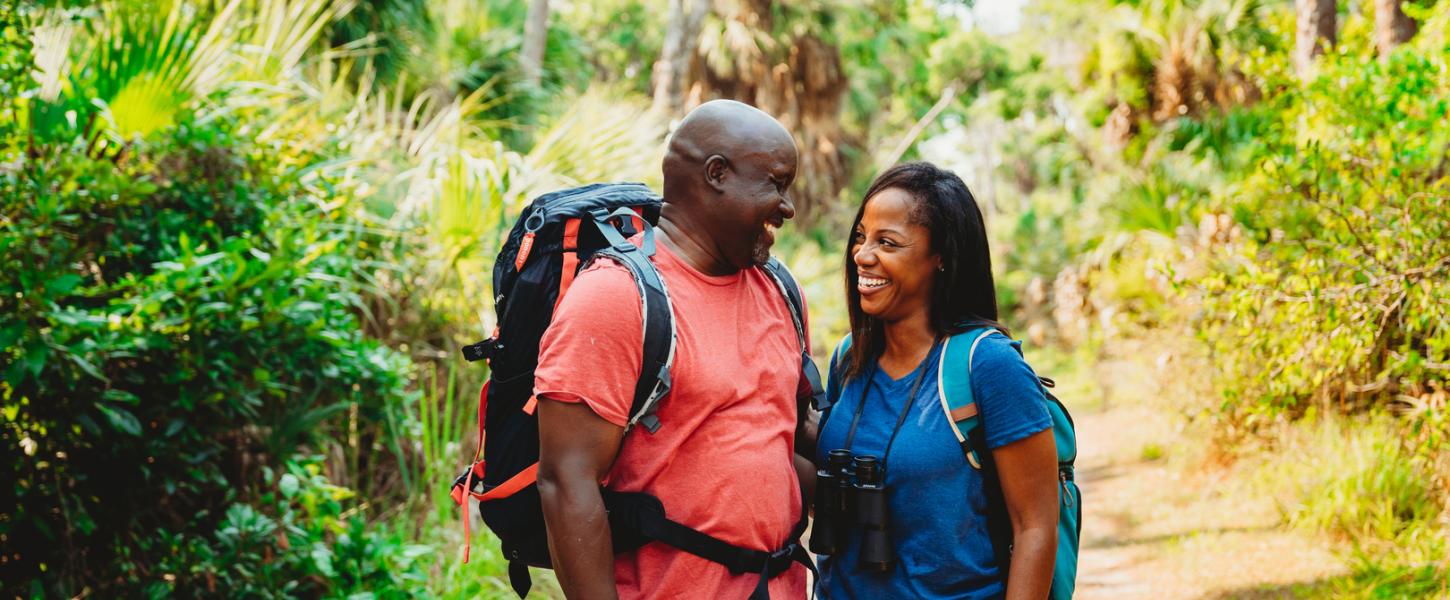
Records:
x=173, y=324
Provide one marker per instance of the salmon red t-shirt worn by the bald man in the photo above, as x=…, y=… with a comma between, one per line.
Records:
x=721, y=462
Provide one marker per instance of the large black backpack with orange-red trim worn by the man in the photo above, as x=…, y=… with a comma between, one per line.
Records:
x=556, y=238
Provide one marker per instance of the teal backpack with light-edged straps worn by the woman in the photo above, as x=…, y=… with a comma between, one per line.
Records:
x=955, y=391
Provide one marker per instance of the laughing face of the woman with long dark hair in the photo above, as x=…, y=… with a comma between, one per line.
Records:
x=894, y=262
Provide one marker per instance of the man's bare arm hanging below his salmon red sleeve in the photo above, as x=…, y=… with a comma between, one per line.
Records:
x=576, y=450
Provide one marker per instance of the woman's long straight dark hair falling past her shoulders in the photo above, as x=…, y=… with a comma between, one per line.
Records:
x=964, y=295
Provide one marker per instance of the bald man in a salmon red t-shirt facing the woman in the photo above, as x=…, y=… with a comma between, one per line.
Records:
x=723, y=462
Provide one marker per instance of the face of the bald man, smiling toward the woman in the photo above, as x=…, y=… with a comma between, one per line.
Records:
x=756, y=202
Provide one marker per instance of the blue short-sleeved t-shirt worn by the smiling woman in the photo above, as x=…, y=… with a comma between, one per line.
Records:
x=936, y=499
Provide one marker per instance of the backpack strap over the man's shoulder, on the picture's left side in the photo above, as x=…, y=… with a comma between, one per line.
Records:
x=658, y=318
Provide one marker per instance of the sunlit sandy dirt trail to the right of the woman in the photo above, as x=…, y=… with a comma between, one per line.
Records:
x=1164, y=522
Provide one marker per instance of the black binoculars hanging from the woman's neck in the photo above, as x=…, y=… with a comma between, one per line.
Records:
x=852, y=493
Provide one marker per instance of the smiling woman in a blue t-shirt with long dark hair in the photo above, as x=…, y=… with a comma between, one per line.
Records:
x=919, y=272
